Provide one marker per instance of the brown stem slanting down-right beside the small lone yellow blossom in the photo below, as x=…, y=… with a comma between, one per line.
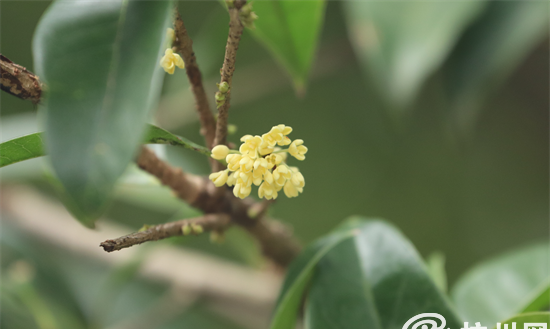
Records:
x=184, y=46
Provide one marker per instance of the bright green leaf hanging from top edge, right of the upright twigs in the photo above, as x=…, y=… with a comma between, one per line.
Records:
x=290, y=31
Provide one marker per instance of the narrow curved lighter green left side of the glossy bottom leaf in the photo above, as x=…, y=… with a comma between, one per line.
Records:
x=297, y=278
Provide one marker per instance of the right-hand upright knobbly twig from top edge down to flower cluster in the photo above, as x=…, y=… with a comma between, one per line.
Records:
x=233, y=39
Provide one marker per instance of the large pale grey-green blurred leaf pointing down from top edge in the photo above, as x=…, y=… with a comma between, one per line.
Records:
x=401, y=43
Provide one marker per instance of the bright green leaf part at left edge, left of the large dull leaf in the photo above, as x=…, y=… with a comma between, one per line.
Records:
x=20, y=149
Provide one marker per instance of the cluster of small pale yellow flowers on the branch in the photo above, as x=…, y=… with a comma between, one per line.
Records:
x=261, y=161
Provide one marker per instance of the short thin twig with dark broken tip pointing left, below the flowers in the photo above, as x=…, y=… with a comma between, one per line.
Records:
x=207, y=223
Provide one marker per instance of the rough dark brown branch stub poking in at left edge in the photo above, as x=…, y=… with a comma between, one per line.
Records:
x=18, y=81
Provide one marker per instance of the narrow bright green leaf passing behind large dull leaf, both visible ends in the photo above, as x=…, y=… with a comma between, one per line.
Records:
x=31, y=146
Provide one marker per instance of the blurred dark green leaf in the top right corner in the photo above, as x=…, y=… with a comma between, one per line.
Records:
x=493, y=47
